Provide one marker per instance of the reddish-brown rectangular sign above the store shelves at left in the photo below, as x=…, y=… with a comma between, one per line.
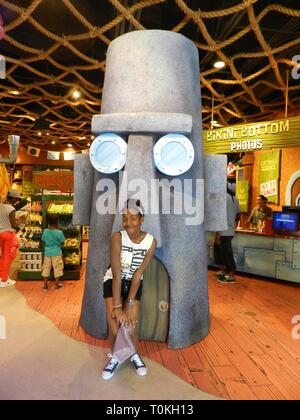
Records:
x=54, y=180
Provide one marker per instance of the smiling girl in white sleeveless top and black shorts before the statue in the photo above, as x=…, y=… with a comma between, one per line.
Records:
x=131, y=251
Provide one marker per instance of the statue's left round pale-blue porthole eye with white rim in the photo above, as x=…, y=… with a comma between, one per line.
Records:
x=108, y=153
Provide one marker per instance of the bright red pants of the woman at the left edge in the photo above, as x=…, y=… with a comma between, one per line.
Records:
x=9, y=246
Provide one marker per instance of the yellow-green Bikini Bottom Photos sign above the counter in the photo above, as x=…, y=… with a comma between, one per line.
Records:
x=250, y=137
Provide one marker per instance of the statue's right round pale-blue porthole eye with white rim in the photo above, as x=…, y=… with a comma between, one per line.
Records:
x=173, y=154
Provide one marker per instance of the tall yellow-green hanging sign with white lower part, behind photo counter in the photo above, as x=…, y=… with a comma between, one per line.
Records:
x=269, y=175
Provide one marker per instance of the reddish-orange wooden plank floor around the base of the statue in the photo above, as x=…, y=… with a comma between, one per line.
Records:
x=250, y=353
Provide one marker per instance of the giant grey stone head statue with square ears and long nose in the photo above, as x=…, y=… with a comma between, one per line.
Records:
x=152, y=89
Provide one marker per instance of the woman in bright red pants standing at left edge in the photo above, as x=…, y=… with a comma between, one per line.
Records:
x=8, y=242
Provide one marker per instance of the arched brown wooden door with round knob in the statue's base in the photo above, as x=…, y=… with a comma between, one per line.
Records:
x=155, y=304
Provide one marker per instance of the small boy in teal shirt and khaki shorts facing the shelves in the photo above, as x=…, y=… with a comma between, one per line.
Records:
x=53, y=238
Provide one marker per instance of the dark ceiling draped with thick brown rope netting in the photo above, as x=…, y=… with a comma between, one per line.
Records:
x=54, y=46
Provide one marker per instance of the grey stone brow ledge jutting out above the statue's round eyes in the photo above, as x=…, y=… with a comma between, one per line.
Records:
x=142, y=122
